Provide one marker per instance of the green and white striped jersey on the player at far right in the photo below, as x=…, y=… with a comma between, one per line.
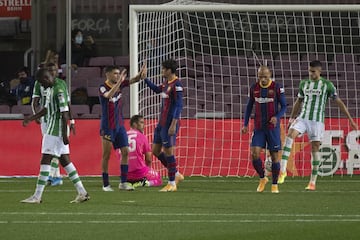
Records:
x=315, y=95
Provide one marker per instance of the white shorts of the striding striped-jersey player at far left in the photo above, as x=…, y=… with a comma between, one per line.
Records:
x=54, y=145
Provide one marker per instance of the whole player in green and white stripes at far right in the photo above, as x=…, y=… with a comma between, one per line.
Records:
x=312, y=98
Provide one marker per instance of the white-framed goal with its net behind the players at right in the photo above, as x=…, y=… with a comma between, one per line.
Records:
x=219, y=49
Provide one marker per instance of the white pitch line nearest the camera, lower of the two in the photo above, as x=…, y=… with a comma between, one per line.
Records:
x=182, y=221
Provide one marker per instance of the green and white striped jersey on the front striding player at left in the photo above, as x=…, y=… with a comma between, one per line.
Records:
x=56, y=103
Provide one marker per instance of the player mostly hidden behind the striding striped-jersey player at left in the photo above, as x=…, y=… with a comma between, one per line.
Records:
x=38, y=102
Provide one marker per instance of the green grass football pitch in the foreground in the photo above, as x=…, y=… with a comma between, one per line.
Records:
x=202, y=208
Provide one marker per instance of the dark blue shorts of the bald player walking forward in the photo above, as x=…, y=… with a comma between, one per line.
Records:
x=271, y=137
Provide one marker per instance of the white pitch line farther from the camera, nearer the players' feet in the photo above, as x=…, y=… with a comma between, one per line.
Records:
x=182, y=214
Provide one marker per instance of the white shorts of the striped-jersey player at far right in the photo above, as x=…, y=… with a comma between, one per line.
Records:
x=314, y=129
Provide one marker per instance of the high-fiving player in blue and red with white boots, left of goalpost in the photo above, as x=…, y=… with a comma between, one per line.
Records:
x=112, y=130
